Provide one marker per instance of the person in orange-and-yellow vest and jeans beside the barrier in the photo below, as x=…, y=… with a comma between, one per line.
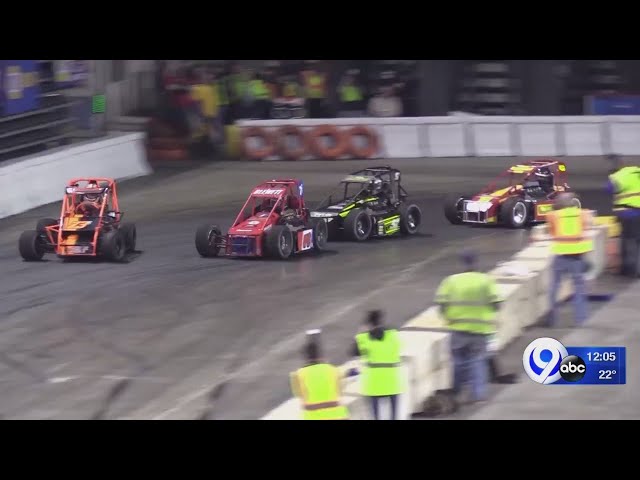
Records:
x=570, y=243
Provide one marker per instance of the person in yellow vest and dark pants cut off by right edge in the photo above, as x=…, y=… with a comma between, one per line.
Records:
x=624, y=187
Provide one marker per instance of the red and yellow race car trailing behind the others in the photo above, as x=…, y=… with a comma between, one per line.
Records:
x=522, y=195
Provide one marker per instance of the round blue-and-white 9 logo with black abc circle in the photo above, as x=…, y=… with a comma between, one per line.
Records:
x=546, y=361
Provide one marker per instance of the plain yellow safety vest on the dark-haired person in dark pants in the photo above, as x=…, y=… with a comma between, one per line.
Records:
x=381, y=372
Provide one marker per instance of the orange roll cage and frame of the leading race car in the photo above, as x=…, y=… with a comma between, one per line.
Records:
x=73, y=188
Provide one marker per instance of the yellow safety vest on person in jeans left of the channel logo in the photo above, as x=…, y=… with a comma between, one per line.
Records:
x=467, y=300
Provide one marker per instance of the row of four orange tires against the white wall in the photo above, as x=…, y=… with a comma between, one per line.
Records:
x=311, y=142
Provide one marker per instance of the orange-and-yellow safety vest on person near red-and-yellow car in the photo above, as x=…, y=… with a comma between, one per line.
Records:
x=568, y=232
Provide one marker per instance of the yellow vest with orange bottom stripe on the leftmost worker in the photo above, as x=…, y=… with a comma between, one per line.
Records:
x=319, y=390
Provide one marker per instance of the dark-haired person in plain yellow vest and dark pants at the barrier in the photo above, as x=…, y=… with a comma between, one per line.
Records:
x=380, y=349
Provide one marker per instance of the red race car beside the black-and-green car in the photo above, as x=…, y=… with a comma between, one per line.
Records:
x=273, y=222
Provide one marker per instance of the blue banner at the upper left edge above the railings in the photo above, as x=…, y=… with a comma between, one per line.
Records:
x=19, y=86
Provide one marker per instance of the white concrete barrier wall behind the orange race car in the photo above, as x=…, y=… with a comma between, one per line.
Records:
x=35, y=181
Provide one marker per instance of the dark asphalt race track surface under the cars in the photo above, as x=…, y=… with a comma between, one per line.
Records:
x=154, y=337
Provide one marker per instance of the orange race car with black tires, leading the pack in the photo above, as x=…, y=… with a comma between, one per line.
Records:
x=90, y=225
